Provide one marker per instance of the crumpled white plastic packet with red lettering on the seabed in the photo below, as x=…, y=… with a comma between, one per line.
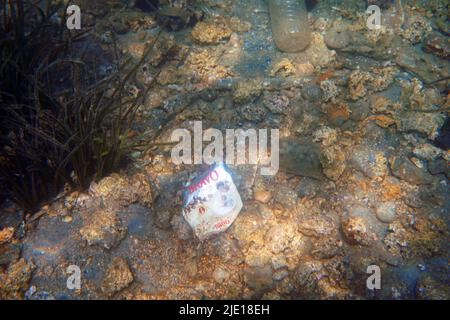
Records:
x=212, y=202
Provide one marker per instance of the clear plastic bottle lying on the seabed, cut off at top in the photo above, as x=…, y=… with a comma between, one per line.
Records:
x=290, y=27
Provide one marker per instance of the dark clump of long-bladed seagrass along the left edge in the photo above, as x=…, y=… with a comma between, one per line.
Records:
x=57, y=135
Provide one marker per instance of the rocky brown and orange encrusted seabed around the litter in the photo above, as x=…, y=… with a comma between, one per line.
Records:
x=364, y=162
